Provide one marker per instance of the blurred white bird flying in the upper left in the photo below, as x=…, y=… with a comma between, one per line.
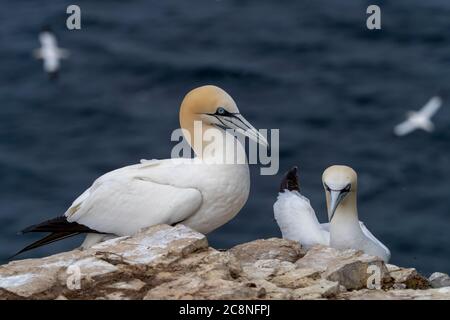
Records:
x=49, y=52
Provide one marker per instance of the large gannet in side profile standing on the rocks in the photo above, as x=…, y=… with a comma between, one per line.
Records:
x=202, y=193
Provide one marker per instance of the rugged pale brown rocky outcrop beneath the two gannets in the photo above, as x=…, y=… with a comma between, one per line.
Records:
x=164, y=262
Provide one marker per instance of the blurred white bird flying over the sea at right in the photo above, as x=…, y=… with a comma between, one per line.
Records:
x=420, y=119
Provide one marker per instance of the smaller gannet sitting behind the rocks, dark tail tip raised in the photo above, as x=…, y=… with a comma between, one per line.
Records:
x=298, y=221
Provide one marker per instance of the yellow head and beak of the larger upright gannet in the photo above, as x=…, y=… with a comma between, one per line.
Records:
x=215, y=108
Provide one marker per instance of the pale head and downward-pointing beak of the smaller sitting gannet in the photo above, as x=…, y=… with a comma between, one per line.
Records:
x=340, y=183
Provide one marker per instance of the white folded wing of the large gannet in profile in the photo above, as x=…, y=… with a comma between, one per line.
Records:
x=122, y=204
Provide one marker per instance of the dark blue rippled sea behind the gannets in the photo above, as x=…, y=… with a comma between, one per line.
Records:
x=309, y=68
